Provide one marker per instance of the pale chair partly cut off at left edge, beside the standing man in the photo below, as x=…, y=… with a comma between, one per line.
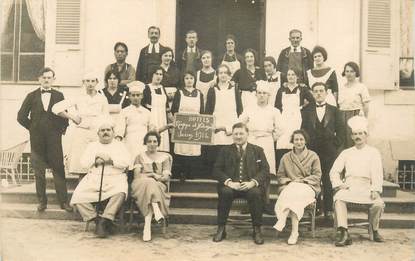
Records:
x=9, y=159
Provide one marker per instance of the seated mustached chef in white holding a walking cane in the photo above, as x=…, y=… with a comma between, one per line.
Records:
x=113, y=157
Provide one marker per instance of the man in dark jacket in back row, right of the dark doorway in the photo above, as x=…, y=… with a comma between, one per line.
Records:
x=295, y=57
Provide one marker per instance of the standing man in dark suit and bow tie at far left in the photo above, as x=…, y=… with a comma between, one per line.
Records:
x=46, y=130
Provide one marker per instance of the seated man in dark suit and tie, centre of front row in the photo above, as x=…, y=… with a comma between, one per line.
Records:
x=241, y=170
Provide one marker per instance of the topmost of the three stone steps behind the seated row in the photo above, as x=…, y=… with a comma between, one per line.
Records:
x=208, y=185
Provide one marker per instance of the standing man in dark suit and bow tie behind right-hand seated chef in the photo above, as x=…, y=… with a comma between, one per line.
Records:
x=323, y=123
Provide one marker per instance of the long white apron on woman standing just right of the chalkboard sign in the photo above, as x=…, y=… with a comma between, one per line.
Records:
x=225, y=114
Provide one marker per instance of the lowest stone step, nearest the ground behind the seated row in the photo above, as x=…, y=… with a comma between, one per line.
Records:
x=202, y=216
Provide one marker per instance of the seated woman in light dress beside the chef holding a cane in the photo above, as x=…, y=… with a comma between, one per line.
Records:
x=152, y=170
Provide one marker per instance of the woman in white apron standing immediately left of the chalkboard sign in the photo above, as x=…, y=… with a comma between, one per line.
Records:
x=155, y=99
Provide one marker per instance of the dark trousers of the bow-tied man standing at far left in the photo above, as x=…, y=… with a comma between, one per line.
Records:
x=46, y=151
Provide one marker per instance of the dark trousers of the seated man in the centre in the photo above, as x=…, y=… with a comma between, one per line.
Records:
x=254, y=196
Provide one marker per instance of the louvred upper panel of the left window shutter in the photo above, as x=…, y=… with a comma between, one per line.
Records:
x=68, y=21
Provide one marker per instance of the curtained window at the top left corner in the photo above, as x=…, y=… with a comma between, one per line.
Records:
x=22, y=40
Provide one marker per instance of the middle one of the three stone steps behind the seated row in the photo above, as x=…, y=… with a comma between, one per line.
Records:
x=403, y=203
